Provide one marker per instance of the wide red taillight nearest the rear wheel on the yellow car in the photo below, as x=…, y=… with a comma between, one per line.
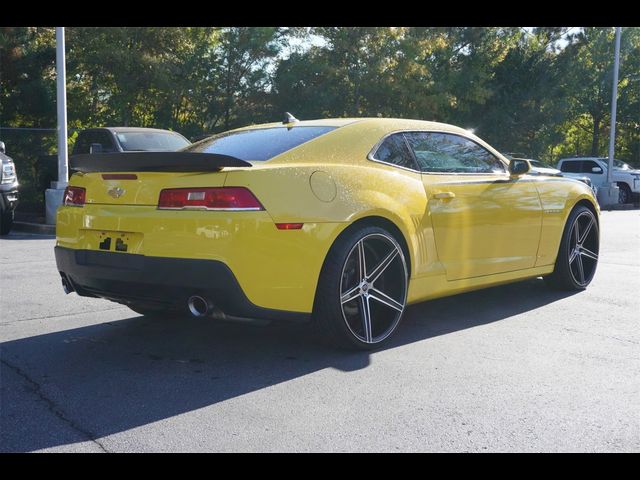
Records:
x=213, y=198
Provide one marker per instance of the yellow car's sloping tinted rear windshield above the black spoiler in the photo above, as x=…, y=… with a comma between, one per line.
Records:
x=259, y=144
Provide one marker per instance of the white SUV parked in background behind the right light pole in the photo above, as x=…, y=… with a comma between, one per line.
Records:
x=627, y=179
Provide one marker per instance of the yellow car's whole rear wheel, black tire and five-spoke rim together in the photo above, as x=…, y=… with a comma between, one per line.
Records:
x=360, y=308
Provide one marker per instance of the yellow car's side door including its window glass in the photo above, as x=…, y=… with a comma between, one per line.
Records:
x=484, y=221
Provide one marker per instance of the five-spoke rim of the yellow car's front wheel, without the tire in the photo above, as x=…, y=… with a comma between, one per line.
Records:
x=583, y=248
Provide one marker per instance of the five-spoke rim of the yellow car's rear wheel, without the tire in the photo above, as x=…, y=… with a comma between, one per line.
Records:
x=373, y=288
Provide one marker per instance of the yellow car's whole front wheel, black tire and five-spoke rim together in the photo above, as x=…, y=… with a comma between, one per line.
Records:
x=578, y=254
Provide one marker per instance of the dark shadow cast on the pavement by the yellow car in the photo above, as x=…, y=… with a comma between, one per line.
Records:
x=111, y=377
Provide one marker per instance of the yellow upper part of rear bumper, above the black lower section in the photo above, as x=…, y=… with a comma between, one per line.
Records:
x=276, y=269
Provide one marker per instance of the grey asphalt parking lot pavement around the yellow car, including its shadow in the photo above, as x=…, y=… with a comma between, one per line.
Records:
x=512, y=368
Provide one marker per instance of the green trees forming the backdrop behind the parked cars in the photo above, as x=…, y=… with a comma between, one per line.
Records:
x=545, y=92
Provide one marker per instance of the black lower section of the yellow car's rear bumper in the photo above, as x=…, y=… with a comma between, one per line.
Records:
x=161, y=281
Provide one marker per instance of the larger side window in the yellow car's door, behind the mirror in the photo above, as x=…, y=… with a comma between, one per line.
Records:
x=445, y=152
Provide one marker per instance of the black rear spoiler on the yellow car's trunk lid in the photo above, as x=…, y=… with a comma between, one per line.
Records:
x=153, y=162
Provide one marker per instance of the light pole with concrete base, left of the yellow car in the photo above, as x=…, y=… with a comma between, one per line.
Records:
x=53, y=195
